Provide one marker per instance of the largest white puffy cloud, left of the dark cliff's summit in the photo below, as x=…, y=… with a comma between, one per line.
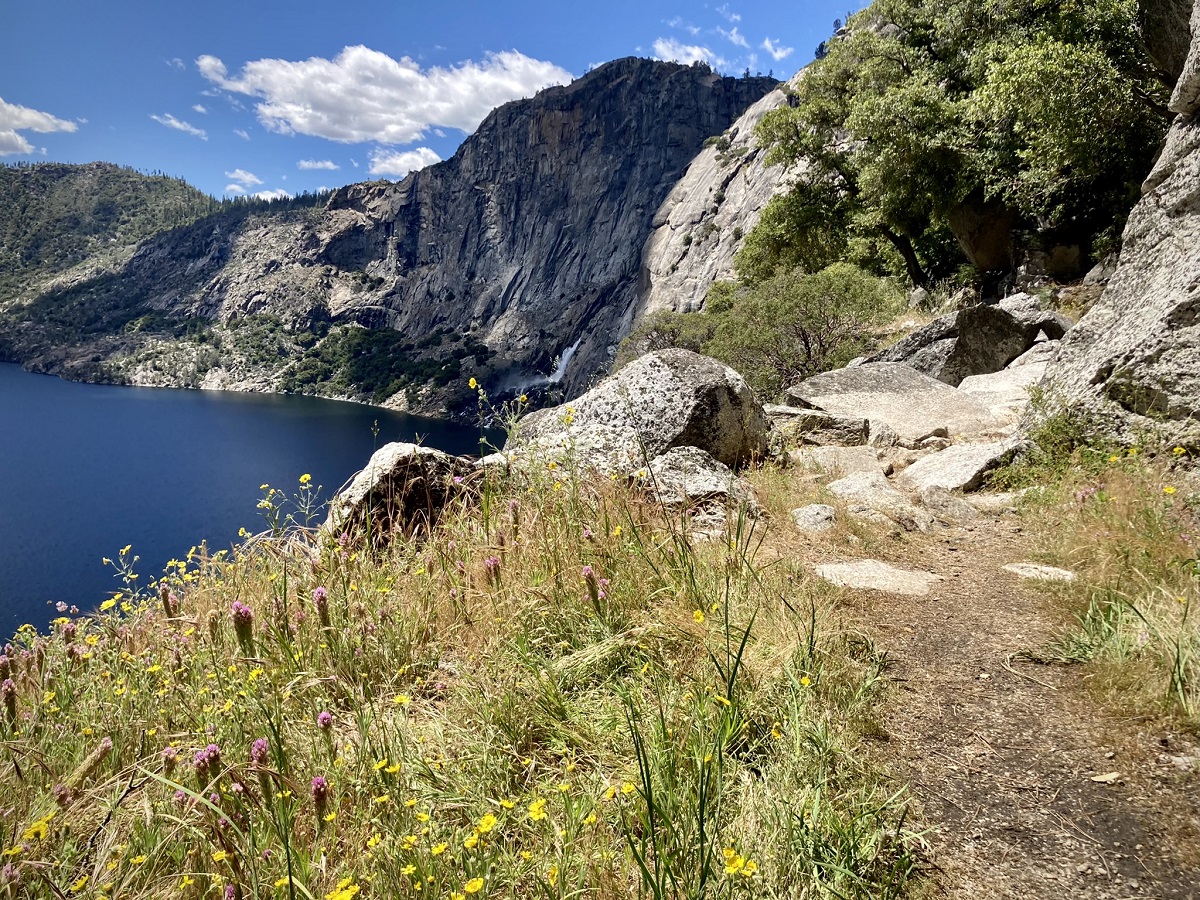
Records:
x=367, y=95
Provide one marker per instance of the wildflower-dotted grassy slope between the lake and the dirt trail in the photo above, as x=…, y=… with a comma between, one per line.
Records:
x=556, y=693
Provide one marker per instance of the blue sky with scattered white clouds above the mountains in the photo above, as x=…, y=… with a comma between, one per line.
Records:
x=253, y=98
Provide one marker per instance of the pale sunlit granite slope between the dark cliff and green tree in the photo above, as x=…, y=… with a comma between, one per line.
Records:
x=700, y=226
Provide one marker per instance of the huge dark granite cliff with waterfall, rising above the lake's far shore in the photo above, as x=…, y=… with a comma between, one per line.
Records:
x=523, y=253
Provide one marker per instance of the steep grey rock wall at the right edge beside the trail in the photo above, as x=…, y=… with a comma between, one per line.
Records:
x=1132, y=365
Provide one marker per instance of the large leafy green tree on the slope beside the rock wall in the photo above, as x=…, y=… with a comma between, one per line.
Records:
x=928, y=109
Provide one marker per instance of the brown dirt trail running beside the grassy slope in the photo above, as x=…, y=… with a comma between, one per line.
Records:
x=1001, y=752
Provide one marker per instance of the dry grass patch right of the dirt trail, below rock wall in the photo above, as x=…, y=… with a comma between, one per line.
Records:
x=1126, y=523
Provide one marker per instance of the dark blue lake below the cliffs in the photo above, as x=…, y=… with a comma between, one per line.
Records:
x=88, y=469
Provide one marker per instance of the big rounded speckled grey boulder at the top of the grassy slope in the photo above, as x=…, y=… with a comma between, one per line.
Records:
x=663, y=400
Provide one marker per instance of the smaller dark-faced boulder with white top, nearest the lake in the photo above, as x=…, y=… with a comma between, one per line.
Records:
x=401, y=491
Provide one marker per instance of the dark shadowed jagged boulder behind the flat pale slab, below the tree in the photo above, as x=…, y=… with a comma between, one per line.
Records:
x=976, y=341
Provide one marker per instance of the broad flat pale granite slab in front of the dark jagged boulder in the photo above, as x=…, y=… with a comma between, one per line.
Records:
x=891, y=394
